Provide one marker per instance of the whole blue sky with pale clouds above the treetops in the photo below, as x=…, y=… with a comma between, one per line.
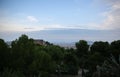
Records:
x=60, y=20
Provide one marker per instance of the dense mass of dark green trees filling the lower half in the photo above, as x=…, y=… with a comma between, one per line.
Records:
x=24, y=58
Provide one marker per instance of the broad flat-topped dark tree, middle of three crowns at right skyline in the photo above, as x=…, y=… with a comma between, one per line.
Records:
x=99, y=51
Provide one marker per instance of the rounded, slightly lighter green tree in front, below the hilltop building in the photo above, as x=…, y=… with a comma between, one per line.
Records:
x=42, y=64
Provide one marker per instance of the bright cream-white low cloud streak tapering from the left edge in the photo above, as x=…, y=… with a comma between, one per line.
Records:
x=19, y=28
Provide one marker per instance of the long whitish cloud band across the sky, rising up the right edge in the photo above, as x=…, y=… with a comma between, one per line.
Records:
x=111, y=21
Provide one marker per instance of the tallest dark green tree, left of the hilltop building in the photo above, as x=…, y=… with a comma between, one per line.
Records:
x=22, y=53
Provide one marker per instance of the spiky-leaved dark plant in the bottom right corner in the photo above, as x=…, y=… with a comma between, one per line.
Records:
x=110, y=68
